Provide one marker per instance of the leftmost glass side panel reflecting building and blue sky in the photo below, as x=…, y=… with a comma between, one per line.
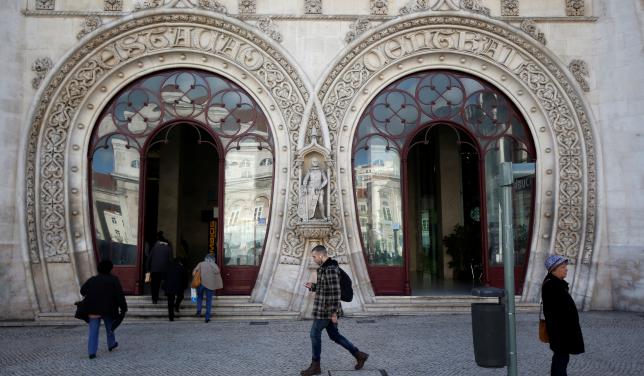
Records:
x=116, y=201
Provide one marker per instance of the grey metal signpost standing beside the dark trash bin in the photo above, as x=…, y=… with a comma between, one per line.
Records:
x=507, y=180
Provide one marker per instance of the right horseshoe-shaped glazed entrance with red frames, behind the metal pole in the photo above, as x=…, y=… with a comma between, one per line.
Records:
x=426, y=157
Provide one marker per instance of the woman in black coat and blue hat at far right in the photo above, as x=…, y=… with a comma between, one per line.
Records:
x=562, y=319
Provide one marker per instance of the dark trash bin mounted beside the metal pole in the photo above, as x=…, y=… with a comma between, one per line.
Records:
x=488, y=328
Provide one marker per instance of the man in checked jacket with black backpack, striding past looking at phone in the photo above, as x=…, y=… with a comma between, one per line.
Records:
x=326, y=311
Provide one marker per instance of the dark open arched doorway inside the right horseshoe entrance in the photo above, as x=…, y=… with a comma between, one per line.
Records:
x=443, y=205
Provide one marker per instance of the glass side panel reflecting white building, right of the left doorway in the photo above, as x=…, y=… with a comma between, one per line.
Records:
x=249, y=177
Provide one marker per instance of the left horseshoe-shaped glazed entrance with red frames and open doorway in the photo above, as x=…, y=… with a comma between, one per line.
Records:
x=162, y=115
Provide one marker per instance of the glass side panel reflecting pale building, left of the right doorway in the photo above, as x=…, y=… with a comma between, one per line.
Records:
x=379, y=206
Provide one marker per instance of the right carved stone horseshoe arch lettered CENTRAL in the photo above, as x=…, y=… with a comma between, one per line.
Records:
x=531, y=76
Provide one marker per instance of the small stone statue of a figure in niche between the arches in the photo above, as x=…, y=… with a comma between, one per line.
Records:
x=312, y=192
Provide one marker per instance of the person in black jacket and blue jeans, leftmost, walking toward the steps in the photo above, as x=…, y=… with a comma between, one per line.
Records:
x=103, y=299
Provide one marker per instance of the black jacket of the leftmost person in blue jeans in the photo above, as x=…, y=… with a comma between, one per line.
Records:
x=104, y=296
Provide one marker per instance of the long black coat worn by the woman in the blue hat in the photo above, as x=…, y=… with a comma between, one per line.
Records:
x=562, y=319
